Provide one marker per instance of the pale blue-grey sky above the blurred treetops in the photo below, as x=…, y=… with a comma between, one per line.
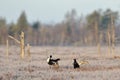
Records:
x=51, y=10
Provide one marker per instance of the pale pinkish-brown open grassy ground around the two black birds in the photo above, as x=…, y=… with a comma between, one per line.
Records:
x=101, y=66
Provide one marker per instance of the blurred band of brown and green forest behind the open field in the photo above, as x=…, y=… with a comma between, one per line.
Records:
x=73, y=30
